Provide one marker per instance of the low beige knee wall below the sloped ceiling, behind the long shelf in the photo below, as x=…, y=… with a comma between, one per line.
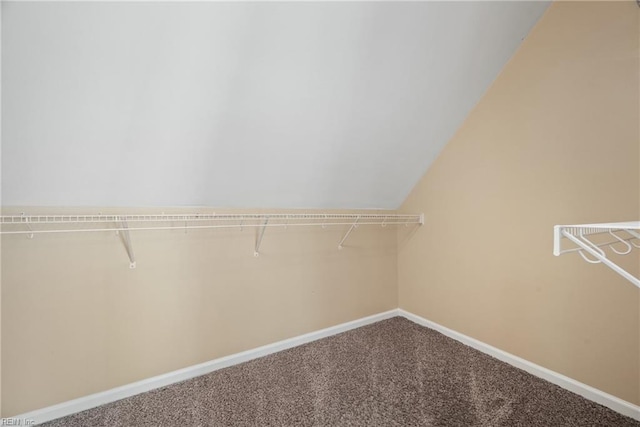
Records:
x=77, y=320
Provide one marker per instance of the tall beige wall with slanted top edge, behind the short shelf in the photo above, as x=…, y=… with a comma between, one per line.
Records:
x=555, y=140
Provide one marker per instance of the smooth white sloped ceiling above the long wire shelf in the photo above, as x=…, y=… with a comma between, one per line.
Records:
x=296, y=105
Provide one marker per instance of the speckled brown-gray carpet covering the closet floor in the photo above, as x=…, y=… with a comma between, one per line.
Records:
x=392, y=373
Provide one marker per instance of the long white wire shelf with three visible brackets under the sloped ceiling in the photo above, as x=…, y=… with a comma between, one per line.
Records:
x=123, y=224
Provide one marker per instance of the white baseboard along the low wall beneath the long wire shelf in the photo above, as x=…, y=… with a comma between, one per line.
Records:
x=87, y=402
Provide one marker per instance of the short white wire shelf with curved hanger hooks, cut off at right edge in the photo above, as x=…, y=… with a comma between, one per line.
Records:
x=623, y=237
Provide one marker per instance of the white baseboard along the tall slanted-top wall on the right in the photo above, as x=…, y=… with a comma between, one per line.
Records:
x=621, y=406
